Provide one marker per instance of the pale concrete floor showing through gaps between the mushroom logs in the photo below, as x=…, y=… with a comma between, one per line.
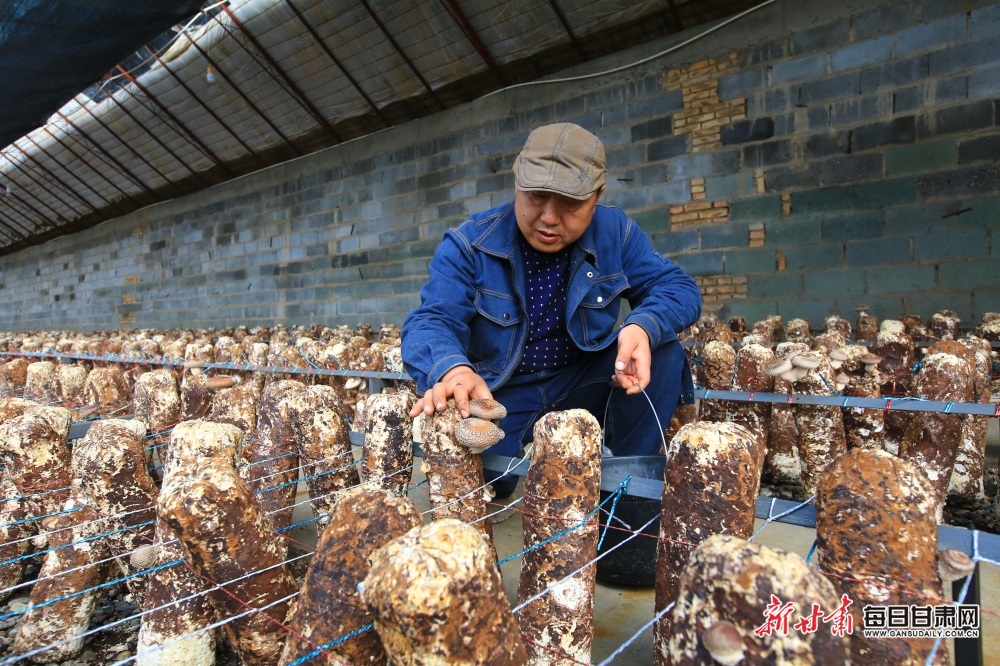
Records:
x=621, y=611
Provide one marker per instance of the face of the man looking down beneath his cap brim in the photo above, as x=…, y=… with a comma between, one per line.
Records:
x=551, y=222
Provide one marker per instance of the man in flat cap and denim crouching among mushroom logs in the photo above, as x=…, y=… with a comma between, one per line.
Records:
x=523, y=302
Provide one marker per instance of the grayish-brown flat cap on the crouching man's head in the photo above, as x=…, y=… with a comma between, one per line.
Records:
x=562, y=158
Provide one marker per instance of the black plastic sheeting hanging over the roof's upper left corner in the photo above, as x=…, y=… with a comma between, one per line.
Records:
x=50, y=50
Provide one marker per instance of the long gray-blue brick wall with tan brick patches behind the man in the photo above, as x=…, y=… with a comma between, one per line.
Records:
x=803, y=161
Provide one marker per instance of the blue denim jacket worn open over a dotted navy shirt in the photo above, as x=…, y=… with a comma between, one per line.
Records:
x=473, y=312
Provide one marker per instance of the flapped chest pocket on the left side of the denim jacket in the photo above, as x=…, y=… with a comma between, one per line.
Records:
x=494, y=331
